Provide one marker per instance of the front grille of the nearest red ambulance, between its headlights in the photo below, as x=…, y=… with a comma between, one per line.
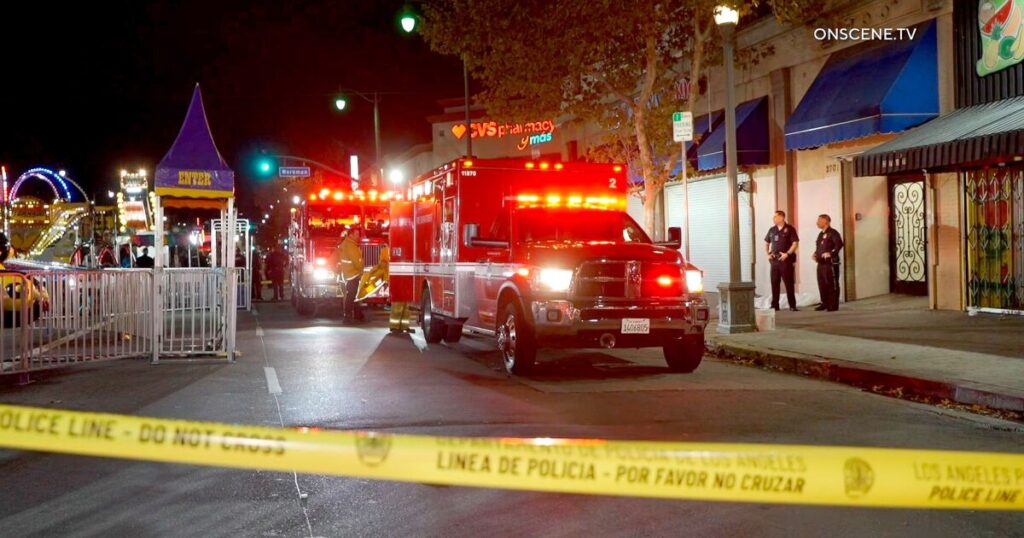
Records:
x=621, y=280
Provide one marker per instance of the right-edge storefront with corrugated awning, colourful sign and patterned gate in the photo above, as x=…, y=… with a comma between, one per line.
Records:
x=969, y=162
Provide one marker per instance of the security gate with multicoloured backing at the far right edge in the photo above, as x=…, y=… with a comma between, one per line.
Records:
x=996, y=238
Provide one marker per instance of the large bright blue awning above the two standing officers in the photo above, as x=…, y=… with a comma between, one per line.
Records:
x=876, y=88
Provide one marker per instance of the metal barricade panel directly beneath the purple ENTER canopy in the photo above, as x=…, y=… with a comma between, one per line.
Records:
x=195, y=320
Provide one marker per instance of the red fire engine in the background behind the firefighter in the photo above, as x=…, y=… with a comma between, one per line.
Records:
x=315, y=234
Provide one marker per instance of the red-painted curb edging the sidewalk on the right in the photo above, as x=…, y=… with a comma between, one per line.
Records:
x=868, y=378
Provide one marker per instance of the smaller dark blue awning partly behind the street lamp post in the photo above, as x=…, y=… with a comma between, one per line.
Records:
x=753, y=147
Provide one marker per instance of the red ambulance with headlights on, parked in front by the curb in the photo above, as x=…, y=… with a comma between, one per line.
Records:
x=542, y=256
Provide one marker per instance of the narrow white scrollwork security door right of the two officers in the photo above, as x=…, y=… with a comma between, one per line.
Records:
x=908, y=239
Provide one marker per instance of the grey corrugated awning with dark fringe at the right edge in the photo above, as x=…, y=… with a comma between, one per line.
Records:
x=990, y=133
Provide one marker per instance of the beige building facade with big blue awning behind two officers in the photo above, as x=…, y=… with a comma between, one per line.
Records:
x=804, y=113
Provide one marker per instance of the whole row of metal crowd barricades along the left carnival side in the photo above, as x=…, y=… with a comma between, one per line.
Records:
x=76, y=317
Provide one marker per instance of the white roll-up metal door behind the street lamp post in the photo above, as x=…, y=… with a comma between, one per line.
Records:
x=710, y=231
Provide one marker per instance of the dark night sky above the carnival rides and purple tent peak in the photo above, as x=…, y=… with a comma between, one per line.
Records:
x=95, y=88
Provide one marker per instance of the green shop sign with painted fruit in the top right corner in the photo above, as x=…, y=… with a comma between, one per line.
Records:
x=1002, y=31
